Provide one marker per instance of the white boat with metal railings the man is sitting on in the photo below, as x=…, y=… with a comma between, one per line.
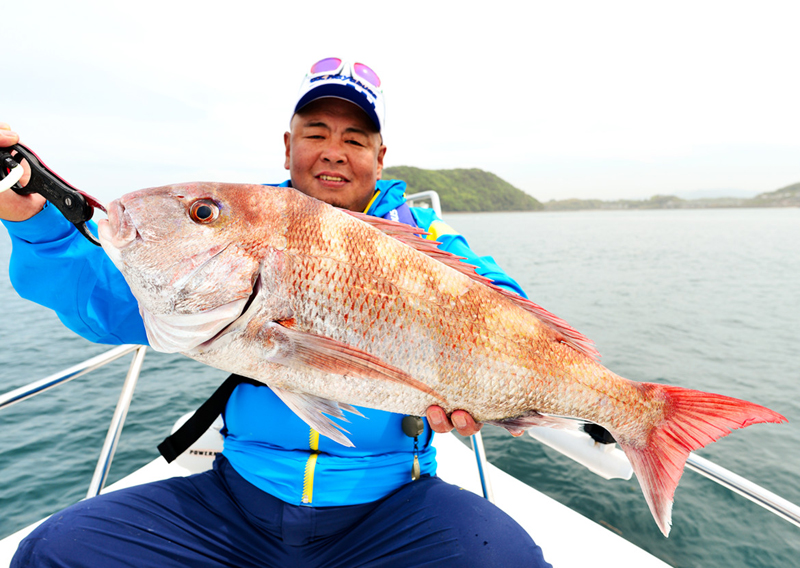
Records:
x=552, y=525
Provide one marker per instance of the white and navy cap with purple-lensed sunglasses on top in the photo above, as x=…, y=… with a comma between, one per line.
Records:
x=353, y=82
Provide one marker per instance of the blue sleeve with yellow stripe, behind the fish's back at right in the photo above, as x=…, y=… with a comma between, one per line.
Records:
x=453, y=242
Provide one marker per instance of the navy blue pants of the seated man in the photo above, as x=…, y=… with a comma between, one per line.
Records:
x=216, y=518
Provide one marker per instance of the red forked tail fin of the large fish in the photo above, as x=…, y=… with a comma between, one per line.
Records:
x=690, y=420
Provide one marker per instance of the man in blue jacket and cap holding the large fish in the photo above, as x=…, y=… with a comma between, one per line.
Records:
x=279, y=495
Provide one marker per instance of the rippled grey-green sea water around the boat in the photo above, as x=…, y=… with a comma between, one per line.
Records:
x=706, y=299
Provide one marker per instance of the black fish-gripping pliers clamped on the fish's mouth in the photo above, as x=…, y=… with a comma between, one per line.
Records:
x=75, y=205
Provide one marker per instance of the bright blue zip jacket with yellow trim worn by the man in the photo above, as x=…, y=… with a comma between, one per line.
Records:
x=53, y=265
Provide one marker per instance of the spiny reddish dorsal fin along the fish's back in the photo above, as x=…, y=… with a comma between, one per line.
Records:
x=409, y=235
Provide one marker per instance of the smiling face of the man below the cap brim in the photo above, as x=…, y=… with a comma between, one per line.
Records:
x=334, y=153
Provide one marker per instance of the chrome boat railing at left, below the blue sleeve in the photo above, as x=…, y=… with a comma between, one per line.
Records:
x=123, y=403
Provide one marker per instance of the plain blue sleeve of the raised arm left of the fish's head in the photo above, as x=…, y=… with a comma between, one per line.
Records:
x=53, y=265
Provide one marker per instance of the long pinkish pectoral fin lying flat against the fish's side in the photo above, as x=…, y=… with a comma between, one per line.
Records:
x=300, y=349
